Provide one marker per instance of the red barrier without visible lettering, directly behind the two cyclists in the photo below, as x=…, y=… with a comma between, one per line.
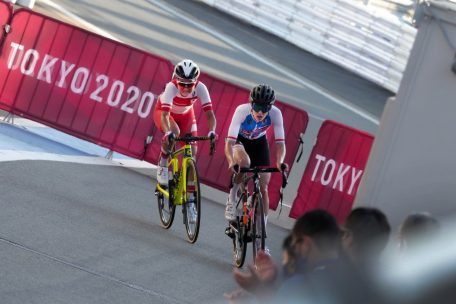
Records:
x=214, y=170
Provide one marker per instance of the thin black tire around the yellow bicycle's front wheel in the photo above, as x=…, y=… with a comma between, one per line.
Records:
x=192, y=229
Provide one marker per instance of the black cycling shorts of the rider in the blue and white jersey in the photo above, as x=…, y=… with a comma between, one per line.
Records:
x=257, y=150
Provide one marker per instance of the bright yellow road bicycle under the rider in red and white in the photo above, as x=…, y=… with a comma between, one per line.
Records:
x=183, y=188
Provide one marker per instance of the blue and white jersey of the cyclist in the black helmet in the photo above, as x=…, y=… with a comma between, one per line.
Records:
x=245, y=125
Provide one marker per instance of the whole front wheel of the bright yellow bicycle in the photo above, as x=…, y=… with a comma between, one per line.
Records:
x=192, y=205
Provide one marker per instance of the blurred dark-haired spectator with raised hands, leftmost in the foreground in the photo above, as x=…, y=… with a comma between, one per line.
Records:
x=315, y=240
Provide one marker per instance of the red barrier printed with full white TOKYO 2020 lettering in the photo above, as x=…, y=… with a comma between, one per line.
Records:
x=80, y=83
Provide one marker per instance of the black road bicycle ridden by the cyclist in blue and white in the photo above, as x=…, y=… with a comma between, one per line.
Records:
x=249, y=225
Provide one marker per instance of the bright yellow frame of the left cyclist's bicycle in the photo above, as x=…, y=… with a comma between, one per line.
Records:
x=179, y=176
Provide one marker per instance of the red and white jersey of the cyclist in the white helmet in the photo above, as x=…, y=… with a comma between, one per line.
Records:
x=171, y=101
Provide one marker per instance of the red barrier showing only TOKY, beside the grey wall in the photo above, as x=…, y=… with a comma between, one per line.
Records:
x=333, y=171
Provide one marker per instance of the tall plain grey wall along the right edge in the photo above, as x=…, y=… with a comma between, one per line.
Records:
x=412, y=166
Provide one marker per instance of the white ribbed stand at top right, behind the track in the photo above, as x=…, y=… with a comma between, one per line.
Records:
x=371, y=44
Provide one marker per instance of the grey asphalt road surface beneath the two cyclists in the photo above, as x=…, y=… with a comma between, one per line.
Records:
x=72, y=233
